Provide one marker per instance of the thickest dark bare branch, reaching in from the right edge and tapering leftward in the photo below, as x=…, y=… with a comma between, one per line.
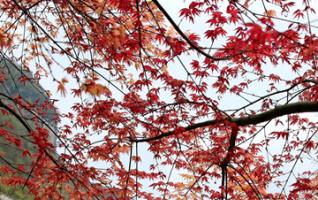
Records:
x=299, y=107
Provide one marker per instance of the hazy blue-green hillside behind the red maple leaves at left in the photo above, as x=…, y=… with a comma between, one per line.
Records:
x=20, y=83
